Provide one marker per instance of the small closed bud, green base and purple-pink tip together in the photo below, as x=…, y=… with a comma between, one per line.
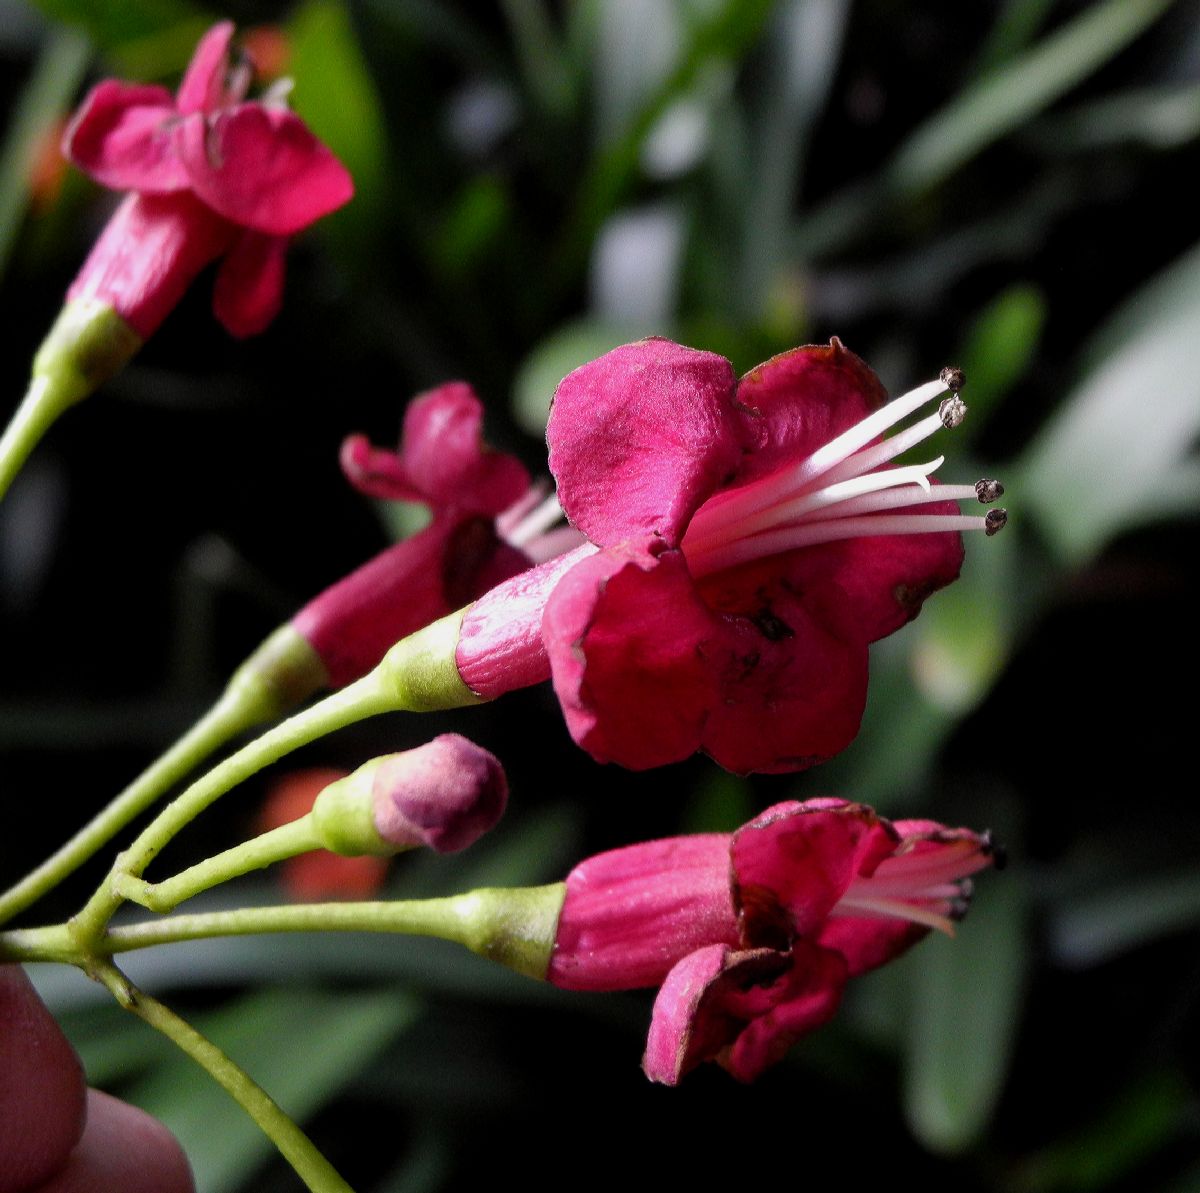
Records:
x=446, y=795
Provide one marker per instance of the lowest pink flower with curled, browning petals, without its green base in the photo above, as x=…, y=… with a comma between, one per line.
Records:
x=754, y=936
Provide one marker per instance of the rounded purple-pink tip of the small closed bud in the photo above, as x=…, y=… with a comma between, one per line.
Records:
x=446, y=795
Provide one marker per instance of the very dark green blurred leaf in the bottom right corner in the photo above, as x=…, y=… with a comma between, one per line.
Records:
x=1144, y=1118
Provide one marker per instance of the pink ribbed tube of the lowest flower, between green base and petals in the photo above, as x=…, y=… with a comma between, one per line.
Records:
x=631, y=914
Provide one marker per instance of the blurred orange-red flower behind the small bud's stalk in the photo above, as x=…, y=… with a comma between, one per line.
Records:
x=319, y=874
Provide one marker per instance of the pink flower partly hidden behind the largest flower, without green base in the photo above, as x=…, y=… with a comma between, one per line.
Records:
x=466, y=550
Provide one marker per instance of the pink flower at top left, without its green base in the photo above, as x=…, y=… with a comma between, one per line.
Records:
x=212, y=176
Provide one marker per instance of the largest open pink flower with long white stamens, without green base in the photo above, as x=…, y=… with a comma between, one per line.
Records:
x=746, y=548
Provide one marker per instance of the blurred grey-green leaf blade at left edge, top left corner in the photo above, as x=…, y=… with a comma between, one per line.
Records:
x=44, y=101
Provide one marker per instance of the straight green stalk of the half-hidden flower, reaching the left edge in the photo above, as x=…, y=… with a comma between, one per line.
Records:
x=230, y=716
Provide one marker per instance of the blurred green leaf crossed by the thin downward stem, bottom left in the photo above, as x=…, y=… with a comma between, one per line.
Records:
x=301, y=1046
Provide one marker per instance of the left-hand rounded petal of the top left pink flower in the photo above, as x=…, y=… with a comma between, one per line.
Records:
x=122, y=137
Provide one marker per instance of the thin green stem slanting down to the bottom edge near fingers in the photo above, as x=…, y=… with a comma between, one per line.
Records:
x=295, y=1146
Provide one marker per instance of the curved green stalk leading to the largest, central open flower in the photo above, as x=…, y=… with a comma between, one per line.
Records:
x=367, y=698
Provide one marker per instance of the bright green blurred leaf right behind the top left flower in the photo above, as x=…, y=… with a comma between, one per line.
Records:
x=338, y=98
